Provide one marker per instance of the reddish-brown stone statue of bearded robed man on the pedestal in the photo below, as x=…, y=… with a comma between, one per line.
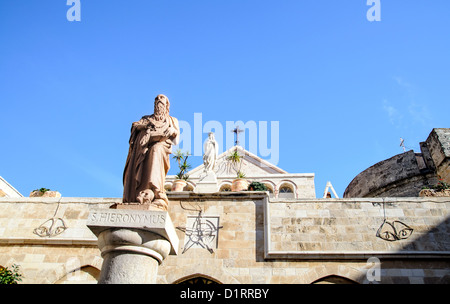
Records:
x=148, y=159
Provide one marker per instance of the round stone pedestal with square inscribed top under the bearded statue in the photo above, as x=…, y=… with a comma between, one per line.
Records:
x=132, y=243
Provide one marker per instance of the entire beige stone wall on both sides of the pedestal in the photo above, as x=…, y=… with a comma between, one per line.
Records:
x=259, y=240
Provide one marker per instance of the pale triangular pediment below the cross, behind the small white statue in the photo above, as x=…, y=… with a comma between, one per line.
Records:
x=252, y=165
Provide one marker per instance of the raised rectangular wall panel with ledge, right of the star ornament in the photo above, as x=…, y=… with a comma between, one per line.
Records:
x=345, y=229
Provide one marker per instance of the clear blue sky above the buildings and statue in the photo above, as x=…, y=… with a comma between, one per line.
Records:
x=343, y=89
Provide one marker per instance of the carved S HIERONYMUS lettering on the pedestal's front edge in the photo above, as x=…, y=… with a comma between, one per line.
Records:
x=127, y=218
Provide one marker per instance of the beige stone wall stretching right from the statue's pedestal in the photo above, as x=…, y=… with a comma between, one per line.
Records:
x=301, y=241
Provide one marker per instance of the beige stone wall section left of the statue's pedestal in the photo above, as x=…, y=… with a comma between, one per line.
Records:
x=71, y=256
